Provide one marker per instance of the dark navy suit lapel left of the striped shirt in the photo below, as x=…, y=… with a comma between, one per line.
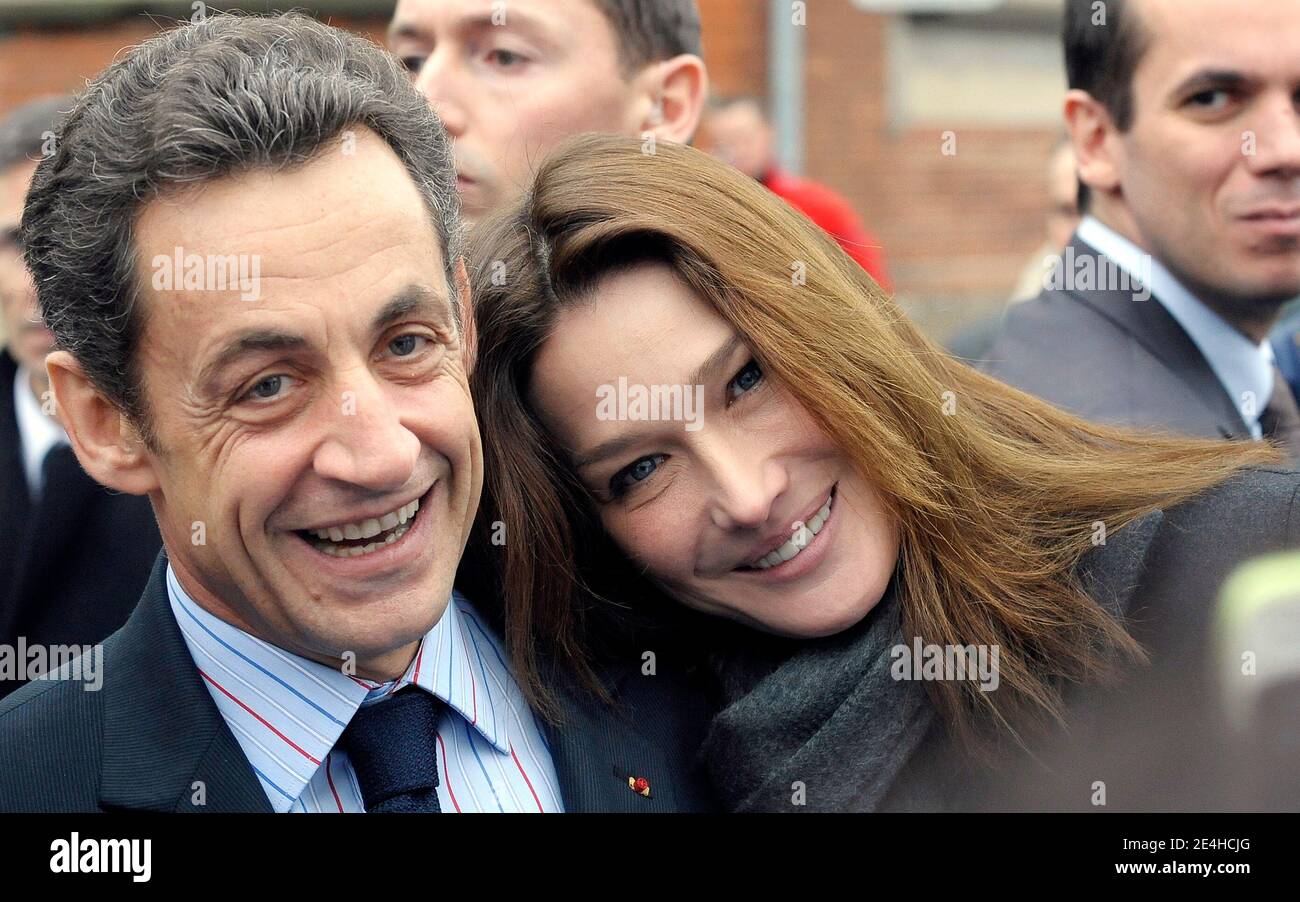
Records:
x=166, y=744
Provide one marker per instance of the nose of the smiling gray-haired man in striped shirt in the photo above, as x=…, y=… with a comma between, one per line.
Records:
x=369, y=445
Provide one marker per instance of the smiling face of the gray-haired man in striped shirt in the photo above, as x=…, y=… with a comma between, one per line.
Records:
x=292, y=424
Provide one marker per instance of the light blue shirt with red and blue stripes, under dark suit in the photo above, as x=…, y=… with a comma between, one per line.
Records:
x=288, y=713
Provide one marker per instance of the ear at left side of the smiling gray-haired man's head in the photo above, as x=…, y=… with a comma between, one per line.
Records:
x=105, y=440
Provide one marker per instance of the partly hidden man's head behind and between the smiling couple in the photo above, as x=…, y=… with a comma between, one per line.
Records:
x=513, y=81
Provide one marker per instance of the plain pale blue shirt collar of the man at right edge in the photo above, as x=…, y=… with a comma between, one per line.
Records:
x=1243, y=368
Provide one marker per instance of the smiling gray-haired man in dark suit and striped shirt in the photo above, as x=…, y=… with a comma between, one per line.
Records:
x=245, y=245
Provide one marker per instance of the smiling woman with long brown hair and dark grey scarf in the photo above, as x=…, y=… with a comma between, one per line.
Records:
x=683, y=384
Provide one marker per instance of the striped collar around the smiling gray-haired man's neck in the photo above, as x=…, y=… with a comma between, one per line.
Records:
x=309, y=705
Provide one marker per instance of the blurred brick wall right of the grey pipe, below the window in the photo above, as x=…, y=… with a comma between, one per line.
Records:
x=957, y=229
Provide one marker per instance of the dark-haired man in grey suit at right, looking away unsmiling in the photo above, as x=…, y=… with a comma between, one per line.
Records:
x=1185, y=124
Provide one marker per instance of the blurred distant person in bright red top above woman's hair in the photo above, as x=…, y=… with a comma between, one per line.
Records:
x=738, y=132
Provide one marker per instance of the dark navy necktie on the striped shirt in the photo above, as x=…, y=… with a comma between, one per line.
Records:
x=393, y=751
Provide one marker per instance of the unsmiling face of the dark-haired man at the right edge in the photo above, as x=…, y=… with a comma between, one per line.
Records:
x=1211, y=168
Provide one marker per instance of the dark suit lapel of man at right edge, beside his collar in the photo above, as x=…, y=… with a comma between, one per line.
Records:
x=1159, y=333
